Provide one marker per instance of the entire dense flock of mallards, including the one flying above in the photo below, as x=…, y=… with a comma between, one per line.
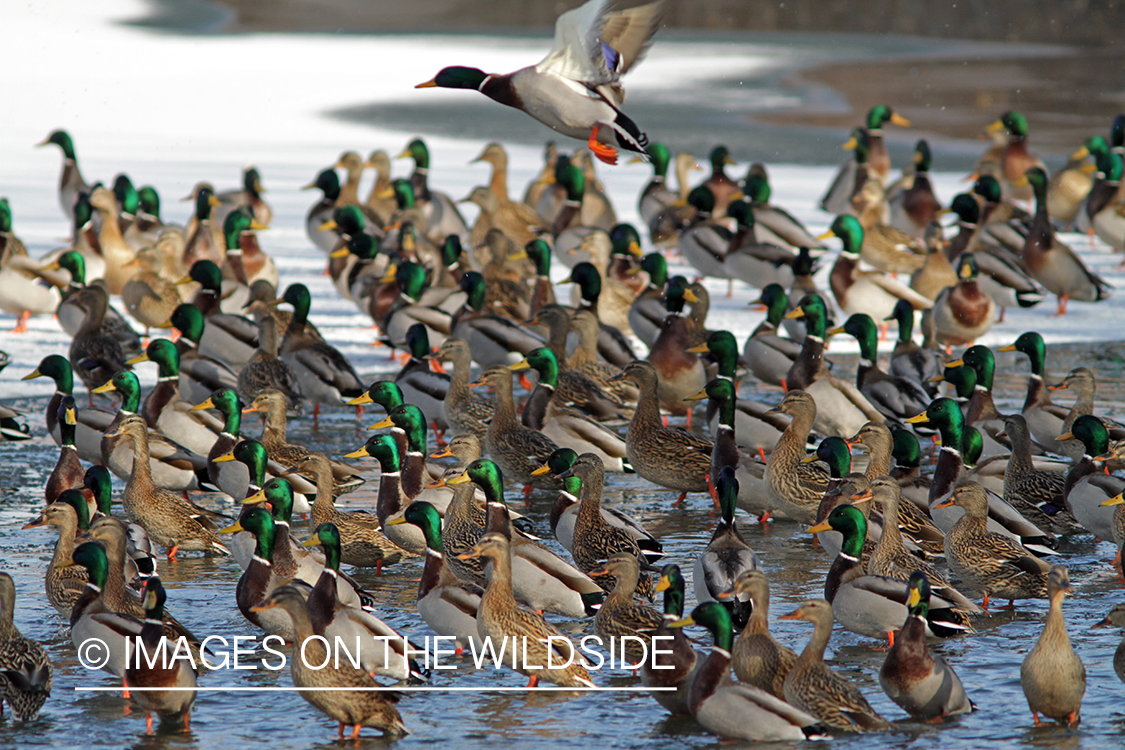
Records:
x=911, y=550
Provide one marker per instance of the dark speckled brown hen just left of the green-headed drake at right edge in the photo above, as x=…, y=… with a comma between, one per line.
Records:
x=1038, y=494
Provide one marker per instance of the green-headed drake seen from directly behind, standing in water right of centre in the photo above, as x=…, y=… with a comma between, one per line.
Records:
x=727, y=556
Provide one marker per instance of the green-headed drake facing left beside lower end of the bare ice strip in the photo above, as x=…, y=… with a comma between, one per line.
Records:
x=326, y=375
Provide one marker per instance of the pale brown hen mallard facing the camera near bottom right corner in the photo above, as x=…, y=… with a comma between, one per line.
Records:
x=1052, y=675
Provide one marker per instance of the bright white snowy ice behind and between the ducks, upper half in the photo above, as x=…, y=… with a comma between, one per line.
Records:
x=172, y=111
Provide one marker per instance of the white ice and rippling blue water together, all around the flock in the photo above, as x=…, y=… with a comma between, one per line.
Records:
x=132, y=101
